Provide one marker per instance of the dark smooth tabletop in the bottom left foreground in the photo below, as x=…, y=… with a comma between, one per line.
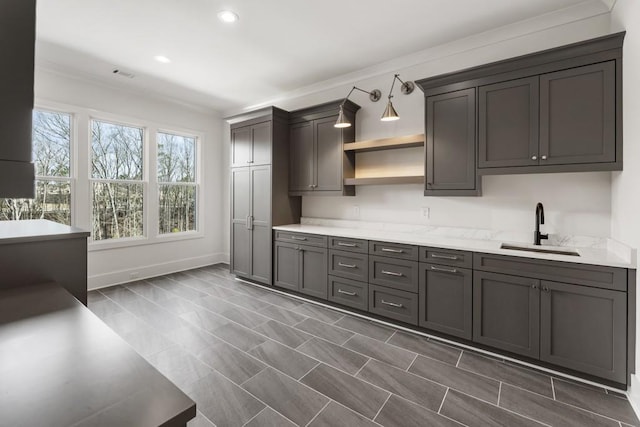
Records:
x=62, y=366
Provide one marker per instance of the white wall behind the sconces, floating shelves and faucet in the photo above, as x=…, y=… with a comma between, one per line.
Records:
x=574, y=203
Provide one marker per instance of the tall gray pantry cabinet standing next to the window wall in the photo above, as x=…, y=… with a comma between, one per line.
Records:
x=259, y=190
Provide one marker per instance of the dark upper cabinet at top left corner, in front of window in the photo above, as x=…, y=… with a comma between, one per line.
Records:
x=17, y=35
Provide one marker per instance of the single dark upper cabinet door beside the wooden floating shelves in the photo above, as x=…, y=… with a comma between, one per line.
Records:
x=451, y=142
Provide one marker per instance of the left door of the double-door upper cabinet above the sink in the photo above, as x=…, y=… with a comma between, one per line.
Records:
x=508, y=124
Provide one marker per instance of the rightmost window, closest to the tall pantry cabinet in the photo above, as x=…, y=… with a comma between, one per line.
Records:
x=177, y=189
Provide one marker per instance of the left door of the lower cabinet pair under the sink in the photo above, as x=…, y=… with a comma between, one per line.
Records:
x=506, y=312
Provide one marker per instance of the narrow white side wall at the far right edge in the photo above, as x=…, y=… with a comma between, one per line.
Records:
x=625, y=206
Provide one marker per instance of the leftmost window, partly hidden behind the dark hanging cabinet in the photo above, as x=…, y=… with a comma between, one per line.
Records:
x=51, y=156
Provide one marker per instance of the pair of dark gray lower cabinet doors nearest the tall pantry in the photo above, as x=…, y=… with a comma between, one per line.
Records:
x=301, y=268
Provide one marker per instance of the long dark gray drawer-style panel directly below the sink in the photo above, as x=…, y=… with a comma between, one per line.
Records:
x=555, y=271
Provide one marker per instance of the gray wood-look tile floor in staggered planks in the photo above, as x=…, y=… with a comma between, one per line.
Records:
x=252, y=357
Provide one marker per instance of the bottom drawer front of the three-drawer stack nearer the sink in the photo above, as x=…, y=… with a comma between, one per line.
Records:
x=394, y=304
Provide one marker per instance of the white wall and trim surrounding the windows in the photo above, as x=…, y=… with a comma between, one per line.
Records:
x=84, y=98
